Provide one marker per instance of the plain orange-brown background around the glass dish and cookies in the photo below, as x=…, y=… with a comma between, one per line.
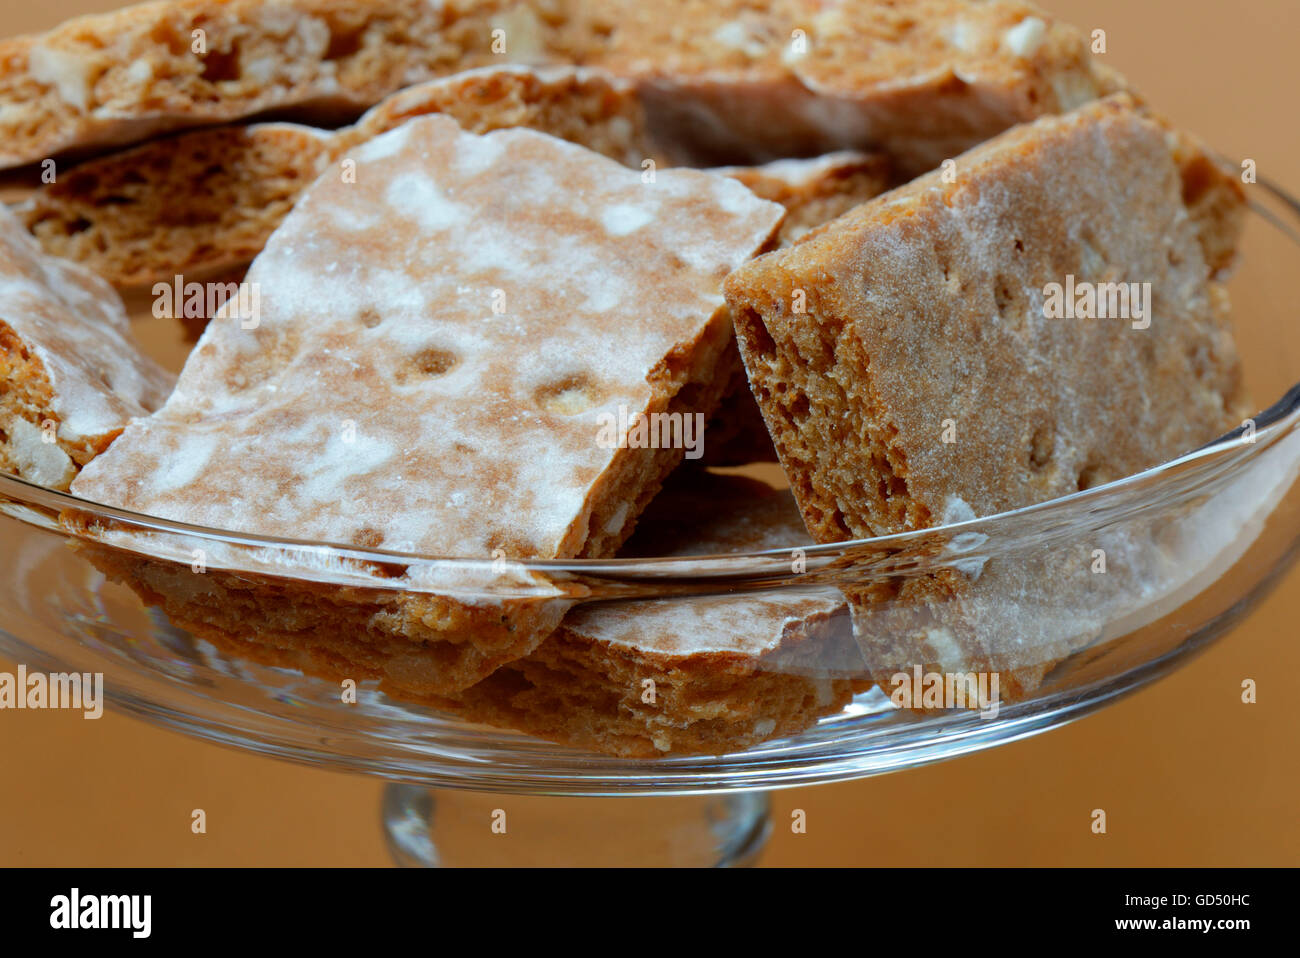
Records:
x=1186, y=773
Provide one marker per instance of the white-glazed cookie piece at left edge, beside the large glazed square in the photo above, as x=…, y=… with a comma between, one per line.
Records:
x=71, y=376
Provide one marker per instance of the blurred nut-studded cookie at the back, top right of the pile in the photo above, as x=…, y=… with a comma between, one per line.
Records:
x=924, y=81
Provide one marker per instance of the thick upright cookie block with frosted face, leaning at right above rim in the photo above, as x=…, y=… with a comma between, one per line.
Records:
x=915, y=361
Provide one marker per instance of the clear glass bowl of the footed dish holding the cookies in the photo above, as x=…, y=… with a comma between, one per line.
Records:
x=1074, y=602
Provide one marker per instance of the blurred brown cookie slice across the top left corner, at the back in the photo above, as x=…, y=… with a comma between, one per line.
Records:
x=125, y=76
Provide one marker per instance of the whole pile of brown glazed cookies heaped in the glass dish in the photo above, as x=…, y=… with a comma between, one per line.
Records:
x=491, y=241
